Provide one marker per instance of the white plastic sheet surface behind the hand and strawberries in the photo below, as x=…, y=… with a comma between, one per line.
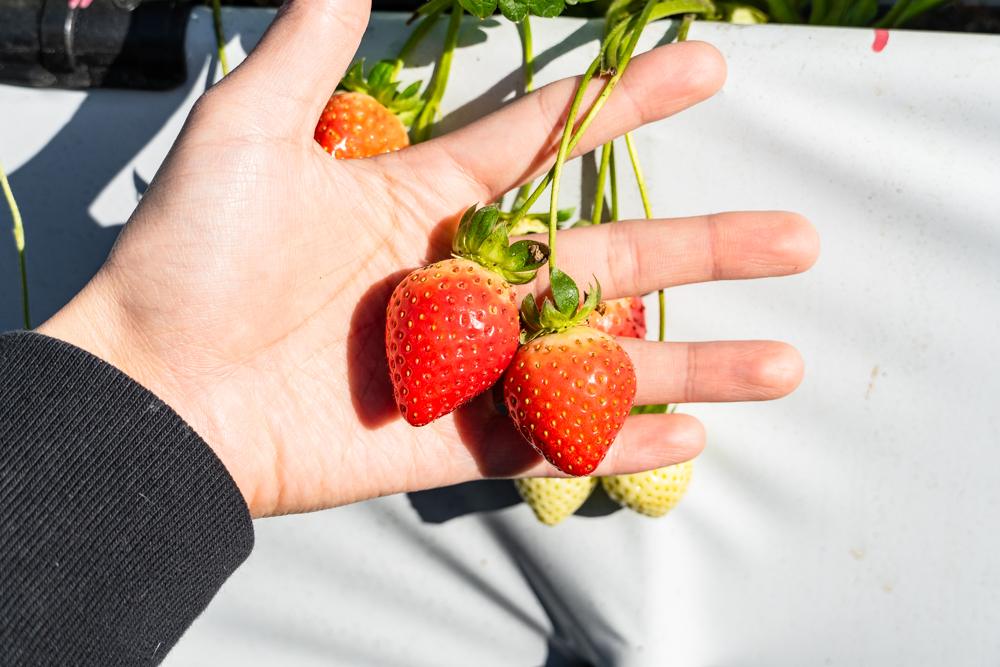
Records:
x=854, y=523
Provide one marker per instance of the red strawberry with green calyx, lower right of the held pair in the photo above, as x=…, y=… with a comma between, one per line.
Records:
x=569, y=391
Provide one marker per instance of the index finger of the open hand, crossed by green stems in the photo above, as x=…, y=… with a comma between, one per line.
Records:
x=519, y=142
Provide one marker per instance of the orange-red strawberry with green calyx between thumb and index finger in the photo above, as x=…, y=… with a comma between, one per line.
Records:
x=366, y=118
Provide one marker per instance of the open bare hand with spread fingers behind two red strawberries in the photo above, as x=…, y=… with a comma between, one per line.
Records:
x=248, y=290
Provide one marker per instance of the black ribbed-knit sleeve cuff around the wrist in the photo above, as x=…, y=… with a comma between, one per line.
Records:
x=117, y=522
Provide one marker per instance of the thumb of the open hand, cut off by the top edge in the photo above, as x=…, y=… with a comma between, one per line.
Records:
x=297, y=64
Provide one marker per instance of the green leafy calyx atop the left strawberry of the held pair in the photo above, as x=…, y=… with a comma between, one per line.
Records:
x=482, y=238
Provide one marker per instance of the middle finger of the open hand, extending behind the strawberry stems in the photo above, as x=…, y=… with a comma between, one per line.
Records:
x=642, y=256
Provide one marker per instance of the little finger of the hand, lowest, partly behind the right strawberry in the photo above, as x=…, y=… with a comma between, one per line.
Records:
x=646, y=442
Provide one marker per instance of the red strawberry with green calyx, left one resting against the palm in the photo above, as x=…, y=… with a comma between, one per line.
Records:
x=451, y=328
